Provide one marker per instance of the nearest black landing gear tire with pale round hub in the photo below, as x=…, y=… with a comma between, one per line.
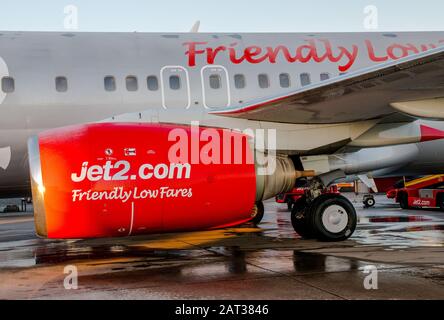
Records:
x=324, y=232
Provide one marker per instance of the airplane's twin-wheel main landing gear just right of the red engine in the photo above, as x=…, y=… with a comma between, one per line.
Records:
x=323, y=216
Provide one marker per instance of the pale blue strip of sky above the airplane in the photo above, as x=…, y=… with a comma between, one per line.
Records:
x=222, y=15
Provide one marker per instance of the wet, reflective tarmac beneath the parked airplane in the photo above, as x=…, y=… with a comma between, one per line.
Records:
x=269, y=262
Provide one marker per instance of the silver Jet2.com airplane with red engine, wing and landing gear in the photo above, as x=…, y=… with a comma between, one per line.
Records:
x=86, y=121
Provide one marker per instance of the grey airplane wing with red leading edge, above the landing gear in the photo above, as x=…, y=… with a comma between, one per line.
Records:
x=412, y=86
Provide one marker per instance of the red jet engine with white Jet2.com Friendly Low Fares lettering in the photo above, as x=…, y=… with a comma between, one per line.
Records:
x=116, y=180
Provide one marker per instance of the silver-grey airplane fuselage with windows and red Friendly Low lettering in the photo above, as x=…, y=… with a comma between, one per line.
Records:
x=57, y=79
